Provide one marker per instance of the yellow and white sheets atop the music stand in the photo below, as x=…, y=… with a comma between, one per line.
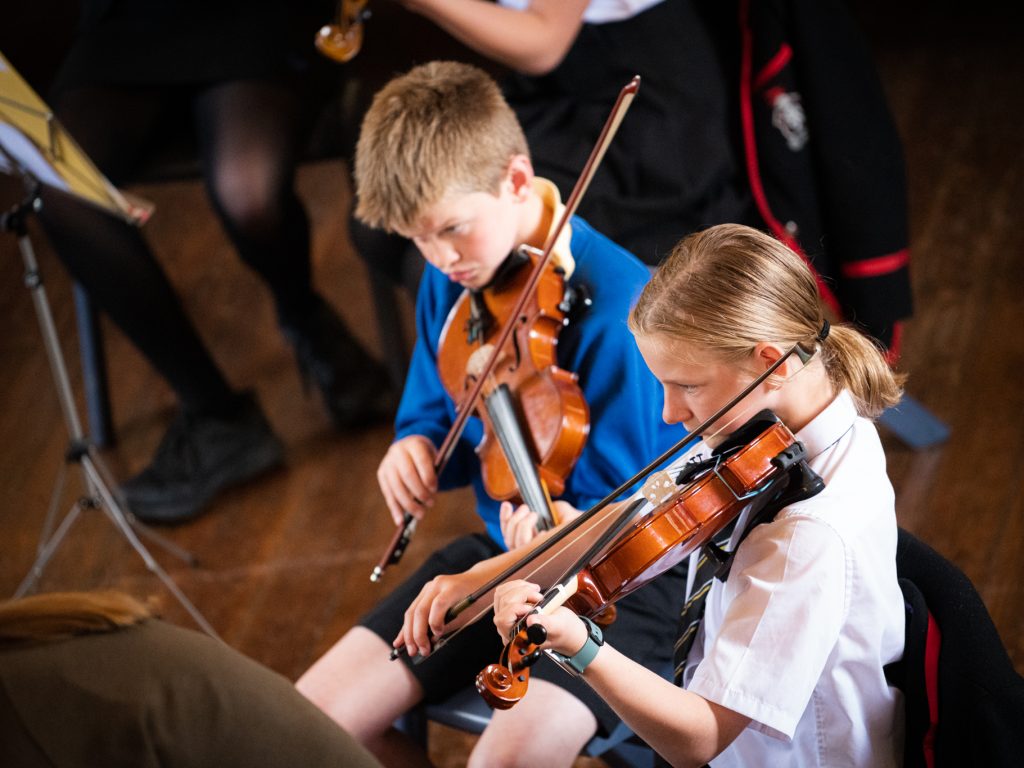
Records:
x=33, y=137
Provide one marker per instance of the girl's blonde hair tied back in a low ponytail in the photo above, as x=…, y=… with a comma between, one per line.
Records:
x=731, y=287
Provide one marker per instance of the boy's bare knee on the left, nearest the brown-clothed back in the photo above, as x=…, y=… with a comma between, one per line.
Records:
x=358, y=686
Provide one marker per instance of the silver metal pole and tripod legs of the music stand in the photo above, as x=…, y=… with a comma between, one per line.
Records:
x=96, y=477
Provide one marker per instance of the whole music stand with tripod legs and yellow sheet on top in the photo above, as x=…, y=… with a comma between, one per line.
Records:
x=35, y=149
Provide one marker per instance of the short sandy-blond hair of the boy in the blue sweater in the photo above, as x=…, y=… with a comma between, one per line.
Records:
x=442, y=129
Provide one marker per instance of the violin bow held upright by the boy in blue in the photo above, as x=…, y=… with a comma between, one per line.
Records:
x=405, y=533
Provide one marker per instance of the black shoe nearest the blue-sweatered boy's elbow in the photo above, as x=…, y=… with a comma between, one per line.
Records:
x=357, y=390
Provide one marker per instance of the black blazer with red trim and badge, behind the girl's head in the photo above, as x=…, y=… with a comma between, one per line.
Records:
x=824, y=158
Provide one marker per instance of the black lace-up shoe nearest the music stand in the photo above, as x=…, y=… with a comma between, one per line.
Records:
x=199, y=457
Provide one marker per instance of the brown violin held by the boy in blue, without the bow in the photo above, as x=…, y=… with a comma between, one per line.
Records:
x=536, y=419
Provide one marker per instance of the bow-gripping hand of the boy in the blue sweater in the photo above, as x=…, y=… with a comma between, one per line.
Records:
x=407, y=477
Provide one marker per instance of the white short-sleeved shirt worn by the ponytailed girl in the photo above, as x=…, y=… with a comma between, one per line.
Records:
x=797, y=637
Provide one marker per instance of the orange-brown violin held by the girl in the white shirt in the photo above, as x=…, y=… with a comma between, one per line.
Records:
x=684, y=519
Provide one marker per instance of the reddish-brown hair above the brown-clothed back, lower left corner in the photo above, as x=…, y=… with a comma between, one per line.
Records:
x=60, y=616
